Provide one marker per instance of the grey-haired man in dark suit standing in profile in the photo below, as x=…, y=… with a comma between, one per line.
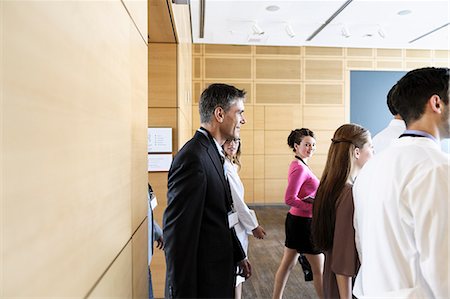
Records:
x=201, y=249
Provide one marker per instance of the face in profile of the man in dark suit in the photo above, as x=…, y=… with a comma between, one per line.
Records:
x=233, y=119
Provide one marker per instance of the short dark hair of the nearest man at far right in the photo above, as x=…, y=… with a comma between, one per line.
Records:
x=415, y=89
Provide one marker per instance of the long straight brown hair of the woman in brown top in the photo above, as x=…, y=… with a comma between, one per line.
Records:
x=337, y=170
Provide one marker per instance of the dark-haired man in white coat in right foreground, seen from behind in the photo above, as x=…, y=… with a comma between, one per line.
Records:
x=401, y=198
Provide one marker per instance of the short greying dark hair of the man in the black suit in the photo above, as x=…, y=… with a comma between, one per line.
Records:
x=217, y=95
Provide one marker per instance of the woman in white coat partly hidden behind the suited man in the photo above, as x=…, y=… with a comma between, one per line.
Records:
x=248, y=224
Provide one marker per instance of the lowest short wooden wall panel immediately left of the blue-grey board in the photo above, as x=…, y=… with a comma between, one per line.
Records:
x=324, y=94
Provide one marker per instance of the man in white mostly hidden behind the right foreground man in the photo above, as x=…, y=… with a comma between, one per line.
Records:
x=395, y=128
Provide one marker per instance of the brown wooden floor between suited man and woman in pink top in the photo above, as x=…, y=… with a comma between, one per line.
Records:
x=265, y=257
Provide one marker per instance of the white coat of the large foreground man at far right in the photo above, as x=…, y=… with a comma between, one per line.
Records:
x=401, y=222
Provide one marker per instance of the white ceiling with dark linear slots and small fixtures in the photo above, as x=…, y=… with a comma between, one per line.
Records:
x=369, y=24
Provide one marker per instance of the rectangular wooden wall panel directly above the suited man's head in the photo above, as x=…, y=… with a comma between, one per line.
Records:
x=227, y=68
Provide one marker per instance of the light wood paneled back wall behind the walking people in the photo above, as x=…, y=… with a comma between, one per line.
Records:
x=288, y=88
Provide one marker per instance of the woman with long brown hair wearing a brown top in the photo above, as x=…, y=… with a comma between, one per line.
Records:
x=332, y=226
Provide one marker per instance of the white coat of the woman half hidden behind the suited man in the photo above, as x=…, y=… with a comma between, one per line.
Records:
x=247, y=220
